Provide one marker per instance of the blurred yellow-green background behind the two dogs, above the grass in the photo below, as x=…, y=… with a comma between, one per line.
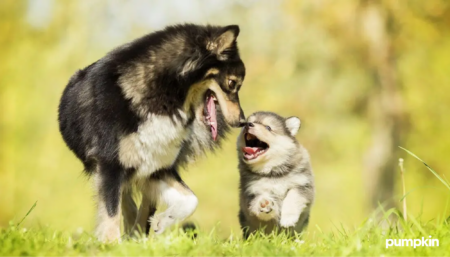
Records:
x=364, y=77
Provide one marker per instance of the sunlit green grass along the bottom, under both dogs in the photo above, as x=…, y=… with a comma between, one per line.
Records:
x=367, y=239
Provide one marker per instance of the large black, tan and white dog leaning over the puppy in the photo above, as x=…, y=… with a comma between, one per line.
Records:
x=146, y=108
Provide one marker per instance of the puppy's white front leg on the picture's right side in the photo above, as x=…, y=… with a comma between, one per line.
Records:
x=293, y=205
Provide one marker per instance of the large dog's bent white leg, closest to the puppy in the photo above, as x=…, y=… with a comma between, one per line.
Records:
x=180, y=200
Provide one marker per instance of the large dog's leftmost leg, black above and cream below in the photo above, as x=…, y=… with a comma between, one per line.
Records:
x=108, y=181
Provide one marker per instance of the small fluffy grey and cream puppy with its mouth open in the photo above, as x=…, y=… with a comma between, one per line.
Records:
x=276, y=180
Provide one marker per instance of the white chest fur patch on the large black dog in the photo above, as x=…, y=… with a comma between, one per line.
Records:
x=155, y=145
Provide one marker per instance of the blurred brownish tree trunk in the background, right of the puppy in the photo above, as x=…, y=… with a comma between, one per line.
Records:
x=385, y=104
